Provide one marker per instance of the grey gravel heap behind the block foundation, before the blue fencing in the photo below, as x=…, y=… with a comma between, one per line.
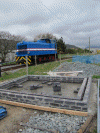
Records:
x=88, y=69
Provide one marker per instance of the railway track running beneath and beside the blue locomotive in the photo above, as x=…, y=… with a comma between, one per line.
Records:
x=13, y=67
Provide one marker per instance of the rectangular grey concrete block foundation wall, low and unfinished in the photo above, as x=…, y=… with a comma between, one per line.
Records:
x=79, y=103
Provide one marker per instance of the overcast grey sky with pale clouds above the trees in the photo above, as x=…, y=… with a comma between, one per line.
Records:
x=74, y=20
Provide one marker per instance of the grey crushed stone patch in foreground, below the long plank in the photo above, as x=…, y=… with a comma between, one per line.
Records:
x=54, y=123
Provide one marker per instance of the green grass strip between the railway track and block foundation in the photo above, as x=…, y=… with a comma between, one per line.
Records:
x=32, y=70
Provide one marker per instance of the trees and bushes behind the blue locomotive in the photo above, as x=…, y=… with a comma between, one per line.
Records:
x=8, y=43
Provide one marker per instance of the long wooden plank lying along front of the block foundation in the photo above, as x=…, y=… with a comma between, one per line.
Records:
x=64, y=111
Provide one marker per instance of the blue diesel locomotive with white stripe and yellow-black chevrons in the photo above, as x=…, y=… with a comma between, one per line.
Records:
x=40, y=51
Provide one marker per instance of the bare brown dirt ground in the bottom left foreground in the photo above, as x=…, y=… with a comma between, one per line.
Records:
x=16, y=115
